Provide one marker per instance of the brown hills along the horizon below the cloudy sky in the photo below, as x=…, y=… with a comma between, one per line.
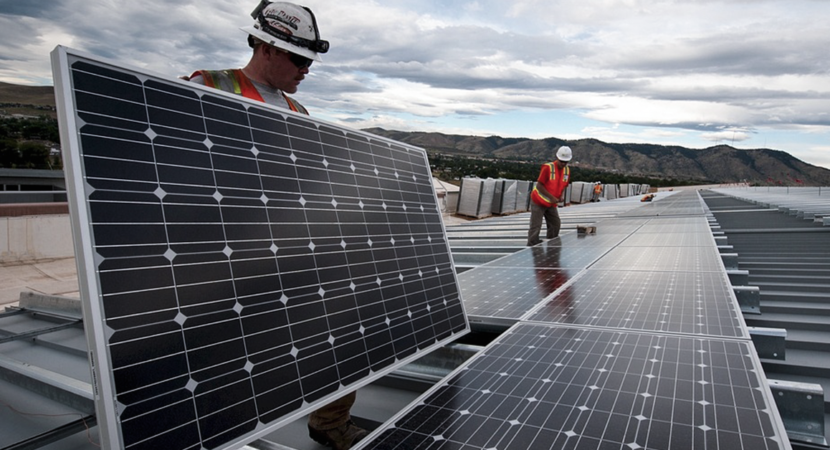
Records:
x=718, y=164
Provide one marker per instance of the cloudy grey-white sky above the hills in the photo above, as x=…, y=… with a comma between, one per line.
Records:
x=696, y=73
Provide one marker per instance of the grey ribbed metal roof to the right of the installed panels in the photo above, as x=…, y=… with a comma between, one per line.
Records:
x=788, y=258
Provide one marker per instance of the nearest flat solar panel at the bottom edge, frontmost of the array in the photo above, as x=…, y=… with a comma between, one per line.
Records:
x=546, y=387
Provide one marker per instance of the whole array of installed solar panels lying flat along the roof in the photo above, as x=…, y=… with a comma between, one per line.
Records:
x=628, y=339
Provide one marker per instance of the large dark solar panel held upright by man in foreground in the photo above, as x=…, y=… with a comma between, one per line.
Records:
x=239, y=264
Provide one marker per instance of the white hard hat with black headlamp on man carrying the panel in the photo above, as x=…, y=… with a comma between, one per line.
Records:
x=289, y=27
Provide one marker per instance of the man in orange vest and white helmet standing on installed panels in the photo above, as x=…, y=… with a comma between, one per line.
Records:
x=547, y=193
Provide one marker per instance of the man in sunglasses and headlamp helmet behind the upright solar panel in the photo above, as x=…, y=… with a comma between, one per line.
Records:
x=285, y=41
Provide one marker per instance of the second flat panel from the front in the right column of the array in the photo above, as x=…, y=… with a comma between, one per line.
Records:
x=699, y=303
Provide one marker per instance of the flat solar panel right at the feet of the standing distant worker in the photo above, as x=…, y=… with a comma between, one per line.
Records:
x=550, y=254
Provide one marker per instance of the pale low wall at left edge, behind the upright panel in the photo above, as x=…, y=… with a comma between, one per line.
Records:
x=35, y=237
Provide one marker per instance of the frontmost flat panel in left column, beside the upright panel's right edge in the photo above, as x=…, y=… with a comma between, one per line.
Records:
x=508, y=293
